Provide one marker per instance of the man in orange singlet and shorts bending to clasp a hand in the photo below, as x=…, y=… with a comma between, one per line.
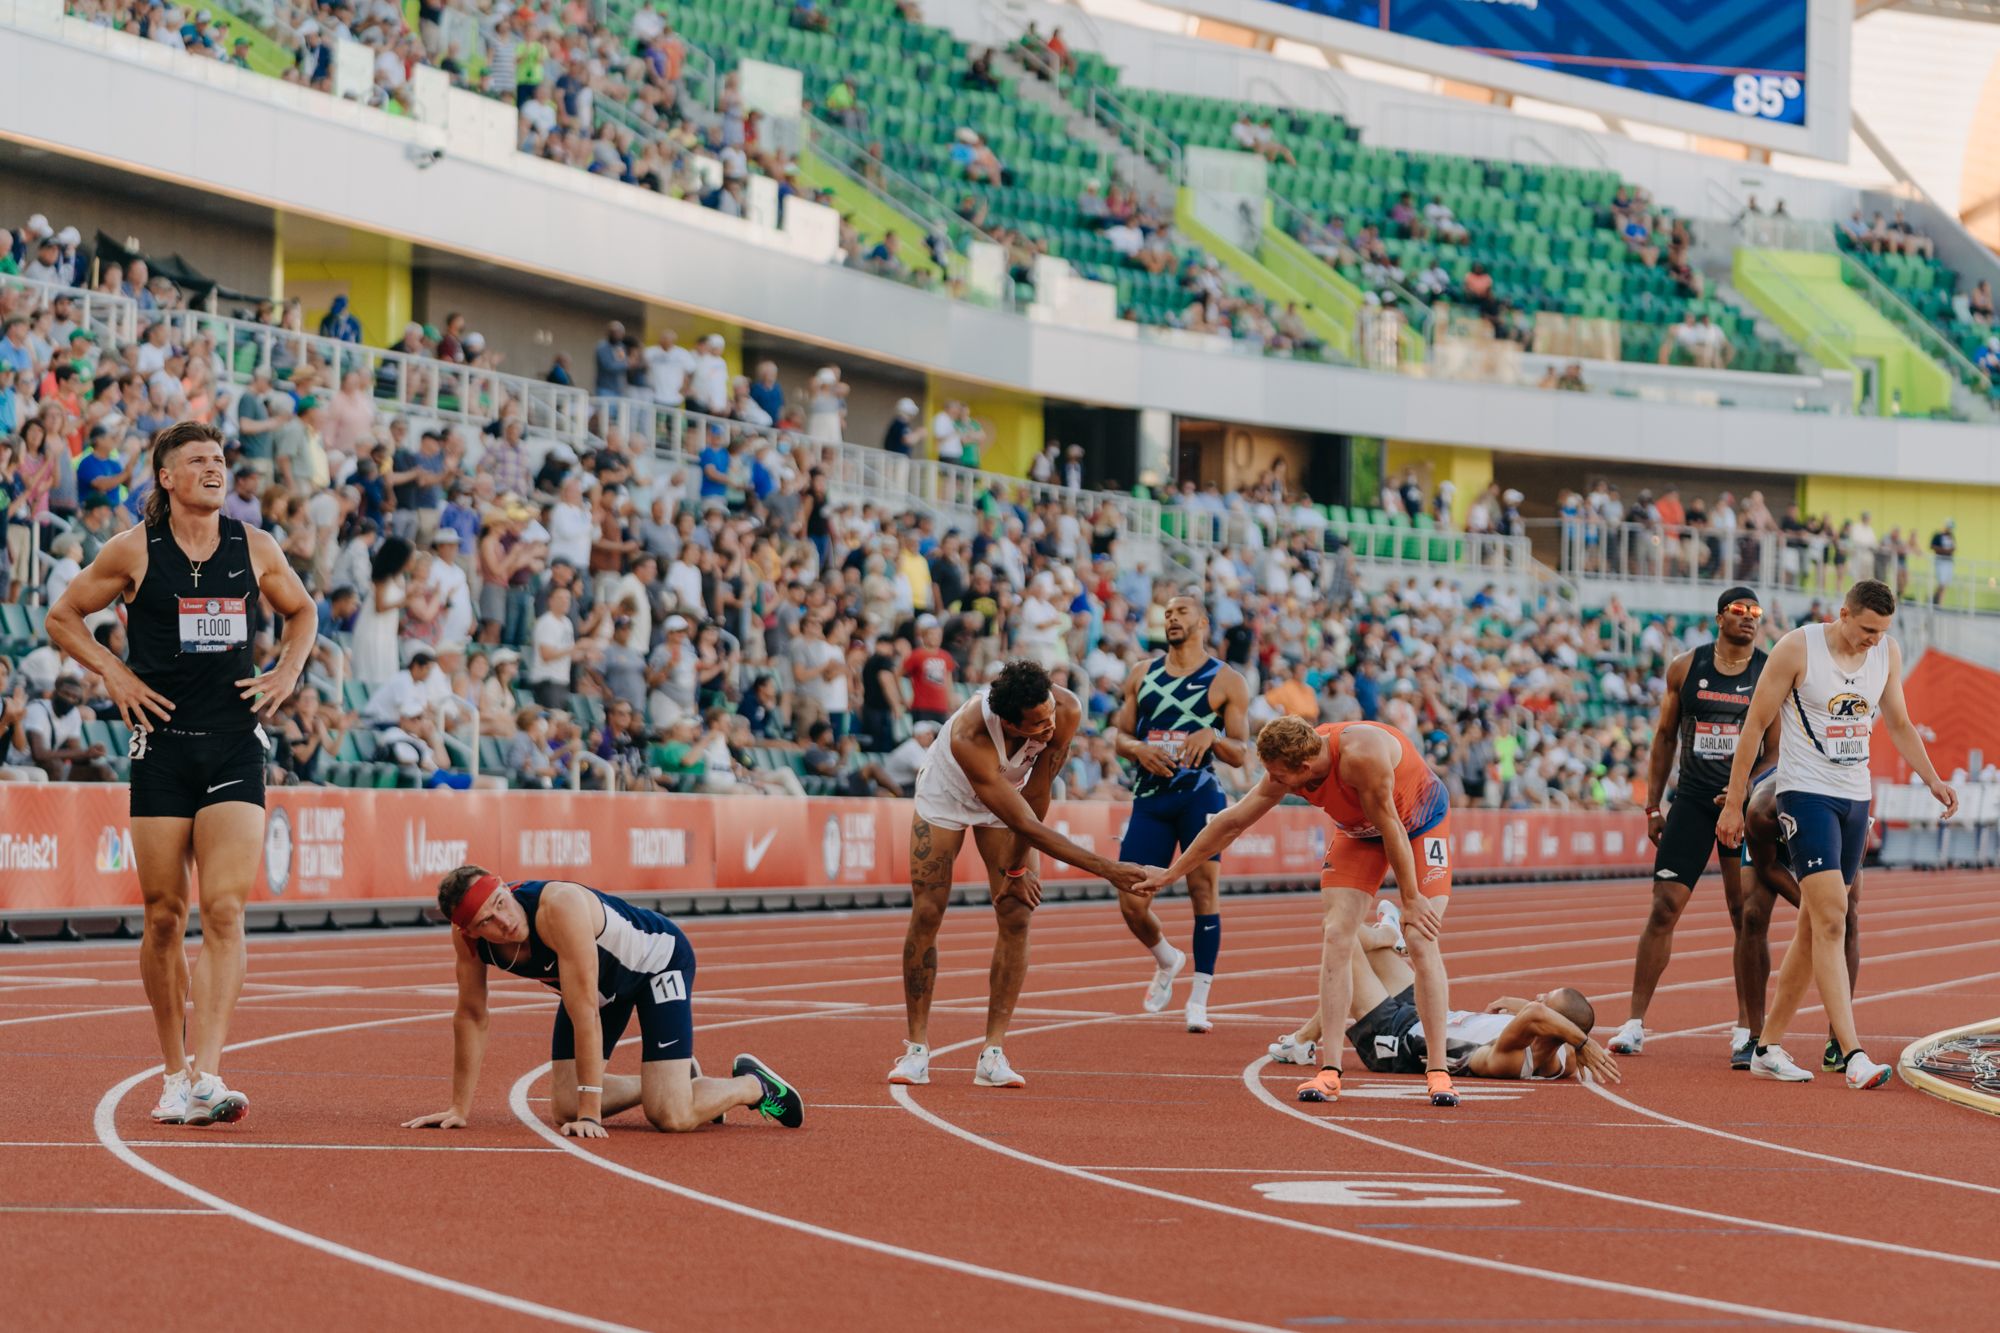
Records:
x=1391, y=816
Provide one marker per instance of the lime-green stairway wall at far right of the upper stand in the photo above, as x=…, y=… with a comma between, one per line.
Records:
x=1809, y=299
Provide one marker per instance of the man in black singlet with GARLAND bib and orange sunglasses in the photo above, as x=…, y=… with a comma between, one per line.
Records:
x=1701, y=720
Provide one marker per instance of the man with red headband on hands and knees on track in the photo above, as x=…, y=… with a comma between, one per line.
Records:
x=607, y=960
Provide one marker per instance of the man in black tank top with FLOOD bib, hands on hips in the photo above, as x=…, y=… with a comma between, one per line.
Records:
x=193, y=585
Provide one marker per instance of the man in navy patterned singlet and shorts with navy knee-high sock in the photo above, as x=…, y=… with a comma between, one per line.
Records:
x=1181, y=714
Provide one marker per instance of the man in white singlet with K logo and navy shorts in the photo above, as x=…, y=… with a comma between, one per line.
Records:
x=1829, y=684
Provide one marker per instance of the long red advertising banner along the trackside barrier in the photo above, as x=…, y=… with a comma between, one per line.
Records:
x=71, y=848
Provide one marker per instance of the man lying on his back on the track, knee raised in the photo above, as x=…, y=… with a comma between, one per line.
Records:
x=1511, y=1040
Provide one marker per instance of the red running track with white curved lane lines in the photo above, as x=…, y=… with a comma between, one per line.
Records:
x=1145, y=1178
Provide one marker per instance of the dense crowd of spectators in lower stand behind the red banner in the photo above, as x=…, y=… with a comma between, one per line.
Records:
x=715, y=625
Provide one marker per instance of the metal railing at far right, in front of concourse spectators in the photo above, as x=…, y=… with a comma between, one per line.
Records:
x=1649, y=553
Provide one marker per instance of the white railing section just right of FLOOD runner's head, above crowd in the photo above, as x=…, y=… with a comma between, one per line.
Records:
x=399, y=381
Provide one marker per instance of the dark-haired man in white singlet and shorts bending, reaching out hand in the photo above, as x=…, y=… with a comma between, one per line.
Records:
x=991, y=772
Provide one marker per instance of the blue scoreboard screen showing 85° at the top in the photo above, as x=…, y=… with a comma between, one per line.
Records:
x=1741, y=57
